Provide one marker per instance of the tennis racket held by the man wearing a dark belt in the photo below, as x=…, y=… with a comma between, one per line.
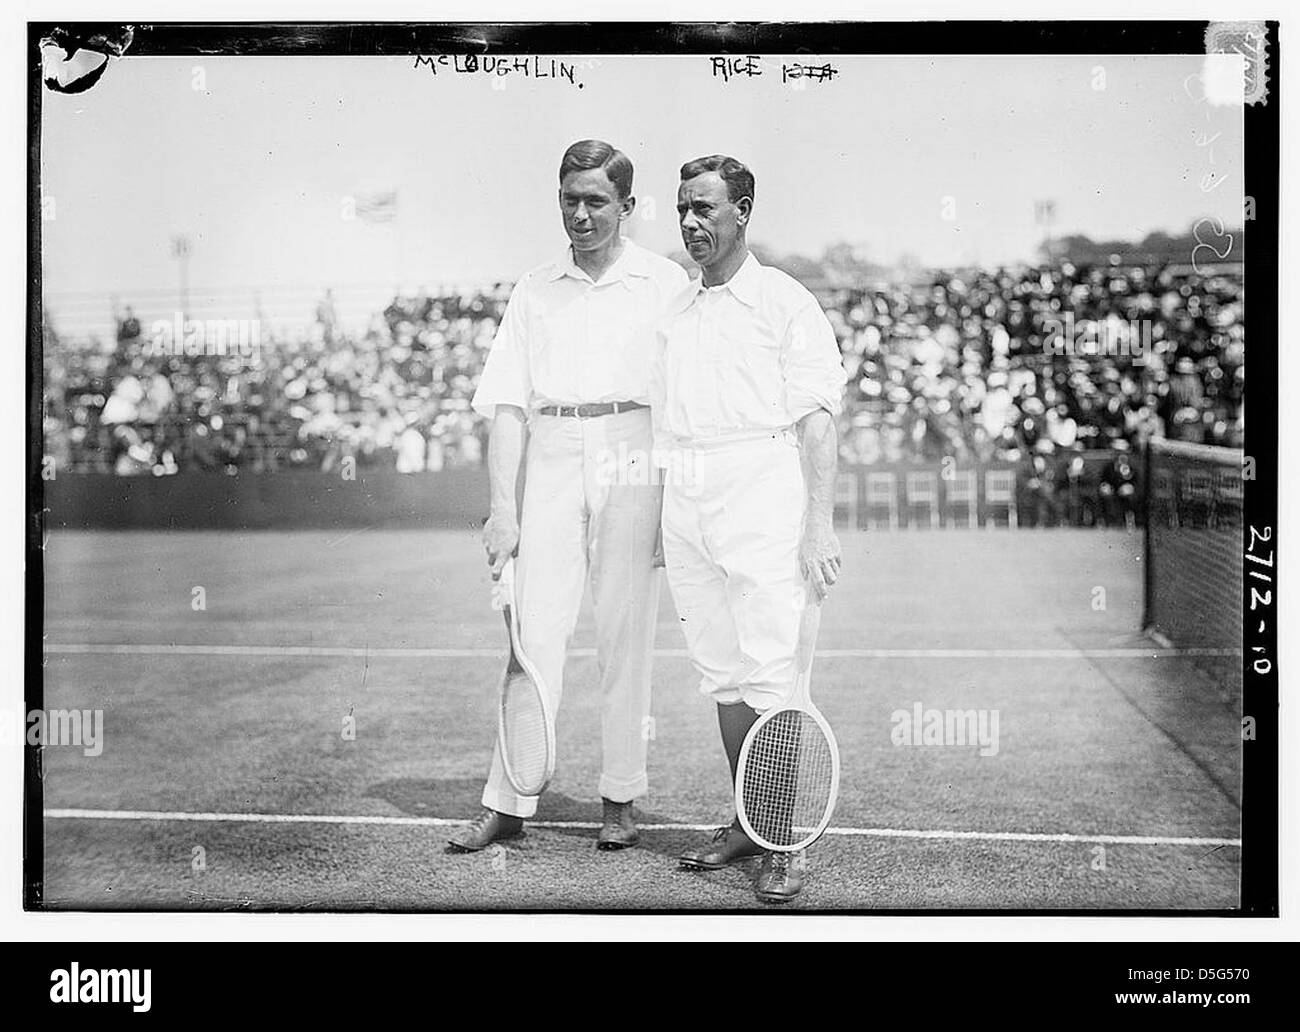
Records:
x=526, y=732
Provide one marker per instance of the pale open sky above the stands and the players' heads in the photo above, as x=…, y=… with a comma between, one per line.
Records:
x=942, y=159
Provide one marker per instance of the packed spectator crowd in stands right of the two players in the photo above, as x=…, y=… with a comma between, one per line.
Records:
x=1063, y=372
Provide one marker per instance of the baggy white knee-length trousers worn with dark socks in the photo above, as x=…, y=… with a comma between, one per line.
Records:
x=731, y=540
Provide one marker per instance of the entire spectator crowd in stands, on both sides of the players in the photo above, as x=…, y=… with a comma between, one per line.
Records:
x=1063, y=372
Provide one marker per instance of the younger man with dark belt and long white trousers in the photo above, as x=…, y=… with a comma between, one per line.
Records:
x=571, y=367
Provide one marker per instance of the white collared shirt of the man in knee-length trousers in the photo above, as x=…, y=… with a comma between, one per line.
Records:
x=743, y=359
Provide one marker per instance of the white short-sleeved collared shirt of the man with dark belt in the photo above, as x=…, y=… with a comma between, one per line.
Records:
x=567, y=340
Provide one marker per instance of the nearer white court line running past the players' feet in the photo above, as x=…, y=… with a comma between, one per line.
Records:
x=163, y=816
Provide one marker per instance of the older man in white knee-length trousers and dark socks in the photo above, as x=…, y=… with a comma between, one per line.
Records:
x=746, y=388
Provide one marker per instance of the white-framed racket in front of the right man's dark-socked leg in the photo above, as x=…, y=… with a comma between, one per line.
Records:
x=788, y=777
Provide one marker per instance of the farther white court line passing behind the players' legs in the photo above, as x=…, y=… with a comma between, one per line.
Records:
x=339, y=651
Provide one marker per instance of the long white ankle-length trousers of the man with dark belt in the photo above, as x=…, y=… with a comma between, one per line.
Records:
x=591, y=517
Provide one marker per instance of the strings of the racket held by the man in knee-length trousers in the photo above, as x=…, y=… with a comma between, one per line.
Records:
x=788, y=779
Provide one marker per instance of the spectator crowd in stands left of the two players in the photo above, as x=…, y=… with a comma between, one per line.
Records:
x=396, y=396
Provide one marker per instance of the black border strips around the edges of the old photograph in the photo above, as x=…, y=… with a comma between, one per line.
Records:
x=1260, y=813
